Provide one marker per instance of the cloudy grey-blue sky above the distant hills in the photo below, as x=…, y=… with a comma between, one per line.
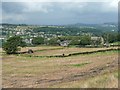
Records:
x=59, y=13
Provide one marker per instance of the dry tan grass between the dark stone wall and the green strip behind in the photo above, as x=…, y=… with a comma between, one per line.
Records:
x=67, y=51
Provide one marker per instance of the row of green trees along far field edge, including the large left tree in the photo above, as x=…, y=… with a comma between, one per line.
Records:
x=12, y=45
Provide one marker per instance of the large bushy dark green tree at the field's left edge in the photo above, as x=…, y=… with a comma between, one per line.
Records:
x=12, y=44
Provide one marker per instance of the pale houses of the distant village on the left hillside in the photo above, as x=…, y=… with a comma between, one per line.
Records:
x=25, y=31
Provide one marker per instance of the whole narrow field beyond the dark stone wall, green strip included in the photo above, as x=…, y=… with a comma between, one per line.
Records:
x=52, y=51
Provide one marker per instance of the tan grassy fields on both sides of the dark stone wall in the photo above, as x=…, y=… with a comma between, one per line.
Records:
x=83, y=71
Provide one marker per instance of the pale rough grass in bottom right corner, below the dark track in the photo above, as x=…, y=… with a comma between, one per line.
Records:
x=107, y=80
